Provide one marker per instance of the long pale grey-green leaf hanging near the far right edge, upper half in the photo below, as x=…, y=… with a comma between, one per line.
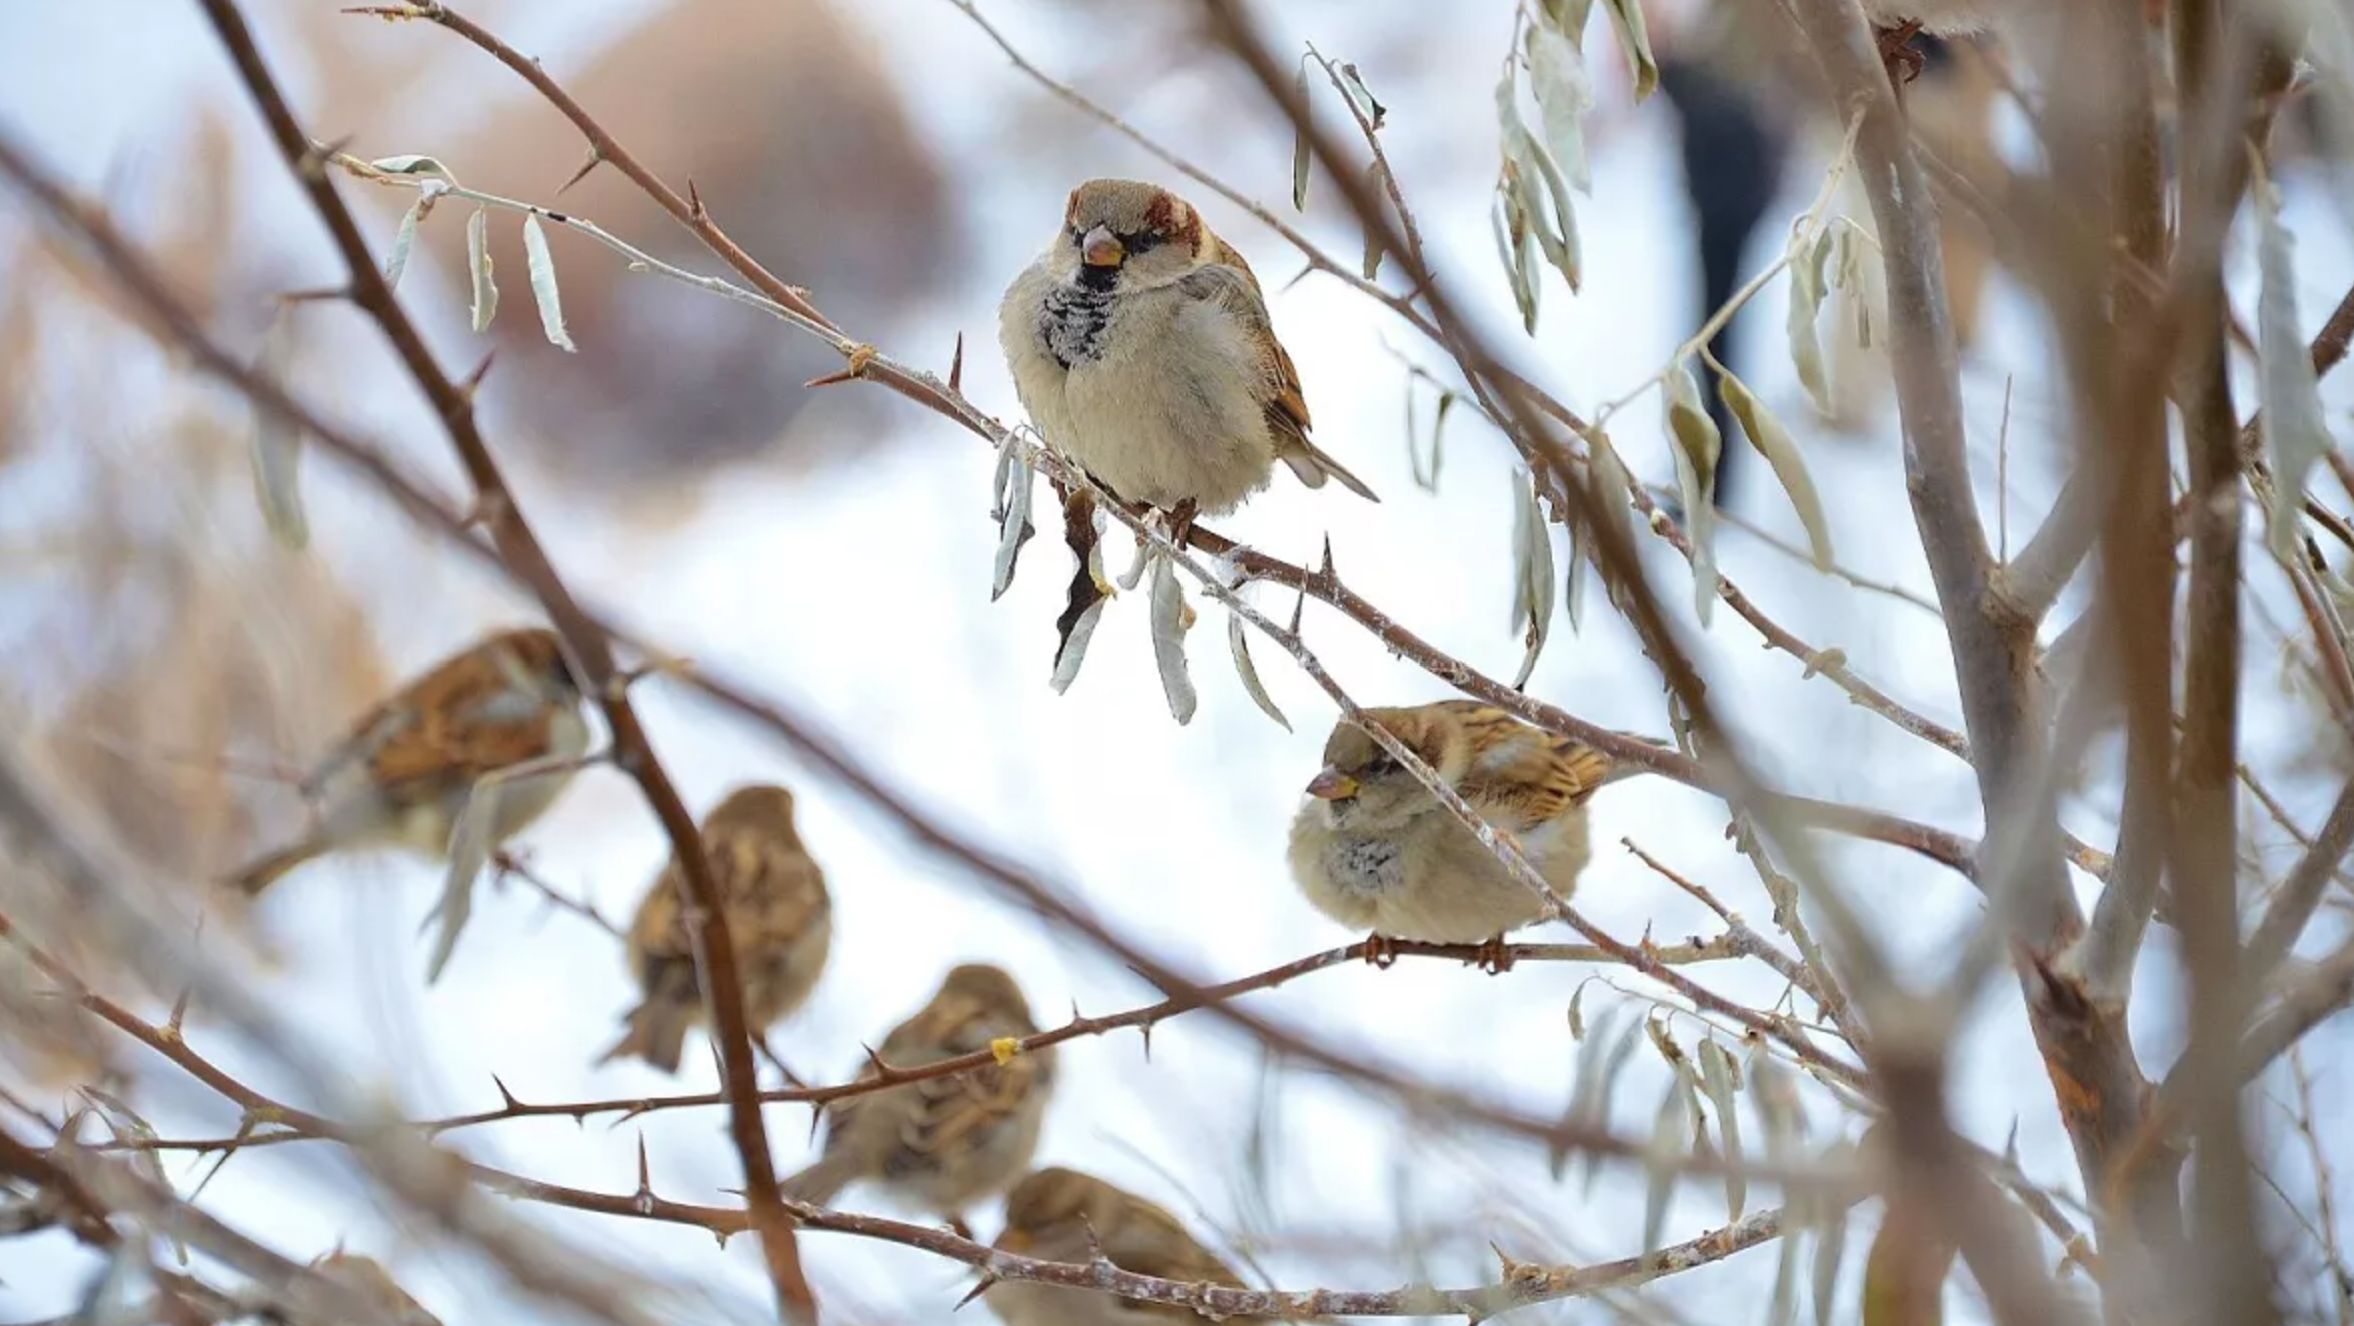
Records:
x=2287, y=387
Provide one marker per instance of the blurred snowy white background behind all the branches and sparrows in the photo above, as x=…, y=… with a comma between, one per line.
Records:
x=834, y=548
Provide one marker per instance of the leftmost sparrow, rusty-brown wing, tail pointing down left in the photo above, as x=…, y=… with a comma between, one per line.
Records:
x=406, y=771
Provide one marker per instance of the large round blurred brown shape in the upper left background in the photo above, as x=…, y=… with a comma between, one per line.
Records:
x=794, y=135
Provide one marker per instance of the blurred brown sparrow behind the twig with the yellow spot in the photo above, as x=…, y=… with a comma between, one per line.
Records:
x=947, y=1141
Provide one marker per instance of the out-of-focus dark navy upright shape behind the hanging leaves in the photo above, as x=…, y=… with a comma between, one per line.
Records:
x=1734, y=150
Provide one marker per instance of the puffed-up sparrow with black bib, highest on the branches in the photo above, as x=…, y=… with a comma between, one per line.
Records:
x=1141, y=345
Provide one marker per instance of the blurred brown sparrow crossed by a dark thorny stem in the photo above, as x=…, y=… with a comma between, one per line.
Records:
x=780, y=924
